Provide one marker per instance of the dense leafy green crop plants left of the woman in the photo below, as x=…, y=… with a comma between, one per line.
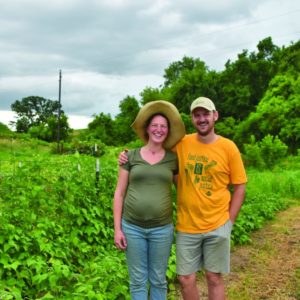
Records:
x=57, y=232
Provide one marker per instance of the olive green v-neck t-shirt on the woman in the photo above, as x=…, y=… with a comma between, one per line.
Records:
x=148, y=200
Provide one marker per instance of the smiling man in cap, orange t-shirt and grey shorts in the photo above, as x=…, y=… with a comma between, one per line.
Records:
x=209, y=165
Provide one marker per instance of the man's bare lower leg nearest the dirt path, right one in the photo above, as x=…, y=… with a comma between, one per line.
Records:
x=215, y=284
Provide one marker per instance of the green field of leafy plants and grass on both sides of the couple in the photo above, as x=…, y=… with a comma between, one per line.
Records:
x=56, y=234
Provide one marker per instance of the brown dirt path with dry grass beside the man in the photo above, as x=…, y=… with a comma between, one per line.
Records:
x=269, y=267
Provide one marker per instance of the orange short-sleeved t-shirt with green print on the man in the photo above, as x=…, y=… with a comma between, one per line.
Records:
x=205, y=174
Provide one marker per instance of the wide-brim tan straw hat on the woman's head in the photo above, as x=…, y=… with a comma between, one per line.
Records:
x=176, y=130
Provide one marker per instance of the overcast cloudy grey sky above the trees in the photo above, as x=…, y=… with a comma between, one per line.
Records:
x=109, y=49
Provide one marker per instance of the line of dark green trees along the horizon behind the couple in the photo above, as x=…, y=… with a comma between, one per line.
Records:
x=257, y=96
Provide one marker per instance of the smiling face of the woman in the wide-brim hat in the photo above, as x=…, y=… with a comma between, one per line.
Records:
x=158, y=129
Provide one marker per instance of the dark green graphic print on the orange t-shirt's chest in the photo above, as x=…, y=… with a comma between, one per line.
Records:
x=198, y=171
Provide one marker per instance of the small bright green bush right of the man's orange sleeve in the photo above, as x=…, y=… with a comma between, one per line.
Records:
x=266, y=153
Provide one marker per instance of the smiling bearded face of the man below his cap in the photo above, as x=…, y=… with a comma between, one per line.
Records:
x=204, y=120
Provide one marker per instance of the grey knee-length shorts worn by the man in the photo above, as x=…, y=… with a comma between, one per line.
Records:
x=210, y=250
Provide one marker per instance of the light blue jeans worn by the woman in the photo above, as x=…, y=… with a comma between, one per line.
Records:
x=147, y=253
